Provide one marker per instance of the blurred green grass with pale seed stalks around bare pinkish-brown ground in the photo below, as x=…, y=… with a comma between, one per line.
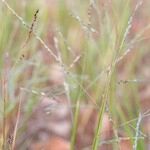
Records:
x=90, y=52
